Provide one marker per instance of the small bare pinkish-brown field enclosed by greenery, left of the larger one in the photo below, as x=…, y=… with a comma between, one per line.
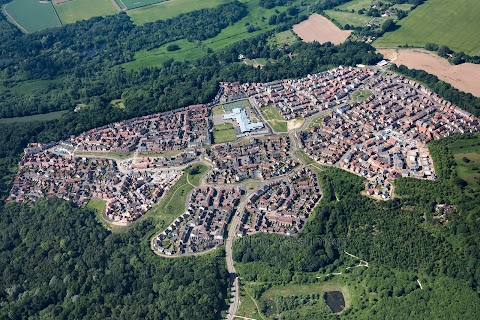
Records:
x=319, y=28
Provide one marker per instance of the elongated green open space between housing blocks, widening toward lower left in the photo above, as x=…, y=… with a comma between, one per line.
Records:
x=173, y=202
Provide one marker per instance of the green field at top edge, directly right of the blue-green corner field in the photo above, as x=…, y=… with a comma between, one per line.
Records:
x=77, y=10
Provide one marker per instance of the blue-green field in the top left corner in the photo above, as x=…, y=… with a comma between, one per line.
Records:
x=31, y=15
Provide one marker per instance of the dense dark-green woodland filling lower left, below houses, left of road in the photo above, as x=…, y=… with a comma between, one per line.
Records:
x=58, y=262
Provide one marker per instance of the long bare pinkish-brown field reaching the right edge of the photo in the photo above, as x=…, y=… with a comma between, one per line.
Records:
x=465, y=76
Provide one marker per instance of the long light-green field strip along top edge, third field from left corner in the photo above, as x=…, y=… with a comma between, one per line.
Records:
x=170, y=9
